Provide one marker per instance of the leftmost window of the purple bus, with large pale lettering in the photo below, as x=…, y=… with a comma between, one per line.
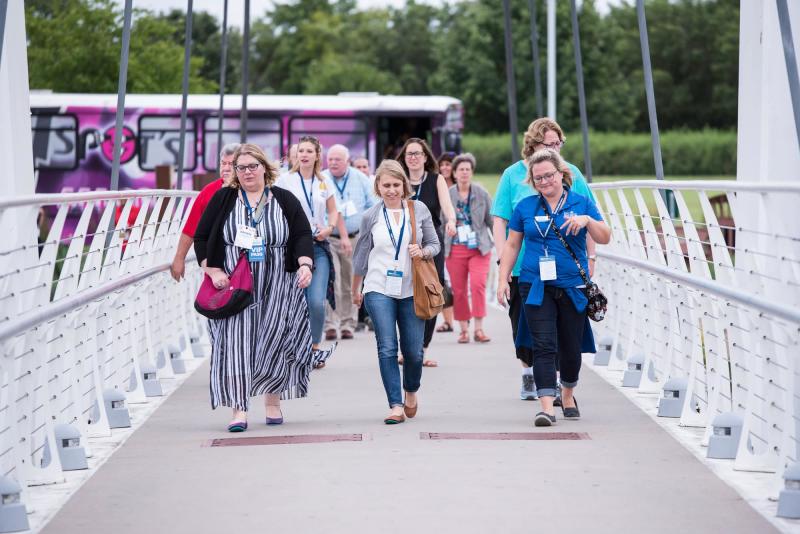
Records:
x=55, y=141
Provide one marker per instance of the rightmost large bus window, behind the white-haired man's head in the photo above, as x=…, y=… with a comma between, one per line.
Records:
x=350, y=132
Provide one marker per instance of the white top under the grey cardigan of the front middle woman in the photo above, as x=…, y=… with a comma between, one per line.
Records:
x=381, y=257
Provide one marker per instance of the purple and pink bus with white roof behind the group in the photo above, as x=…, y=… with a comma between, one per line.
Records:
x=73, y=134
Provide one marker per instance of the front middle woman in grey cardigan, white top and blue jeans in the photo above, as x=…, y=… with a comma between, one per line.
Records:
x=382, y=260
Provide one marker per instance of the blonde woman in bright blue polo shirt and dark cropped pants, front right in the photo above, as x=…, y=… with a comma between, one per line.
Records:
x=550, y=282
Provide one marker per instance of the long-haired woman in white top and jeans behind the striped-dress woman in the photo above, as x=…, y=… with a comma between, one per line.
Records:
x=315, y=193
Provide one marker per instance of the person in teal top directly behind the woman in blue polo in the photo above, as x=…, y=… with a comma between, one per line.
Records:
x=512, y=189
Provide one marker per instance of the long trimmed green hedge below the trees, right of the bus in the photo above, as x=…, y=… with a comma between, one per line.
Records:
x=684, y=153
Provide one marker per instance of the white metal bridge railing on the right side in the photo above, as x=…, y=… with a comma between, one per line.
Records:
x=705, y=309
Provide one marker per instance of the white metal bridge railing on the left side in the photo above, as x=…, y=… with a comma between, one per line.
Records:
x=90, y=319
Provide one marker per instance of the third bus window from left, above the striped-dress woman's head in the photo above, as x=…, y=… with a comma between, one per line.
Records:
x=262, y=131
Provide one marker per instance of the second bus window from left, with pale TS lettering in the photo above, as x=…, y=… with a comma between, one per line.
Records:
x=159, y=142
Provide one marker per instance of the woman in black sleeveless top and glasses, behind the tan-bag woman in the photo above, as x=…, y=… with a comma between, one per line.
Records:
x=430, y=188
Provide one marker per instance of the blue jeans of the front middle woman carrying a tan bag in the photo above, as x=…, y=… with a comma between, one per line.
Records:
x=387, y=315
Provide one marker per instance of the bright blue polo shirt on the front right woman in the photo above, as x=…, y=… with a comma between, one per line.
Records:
x=524, y=220
